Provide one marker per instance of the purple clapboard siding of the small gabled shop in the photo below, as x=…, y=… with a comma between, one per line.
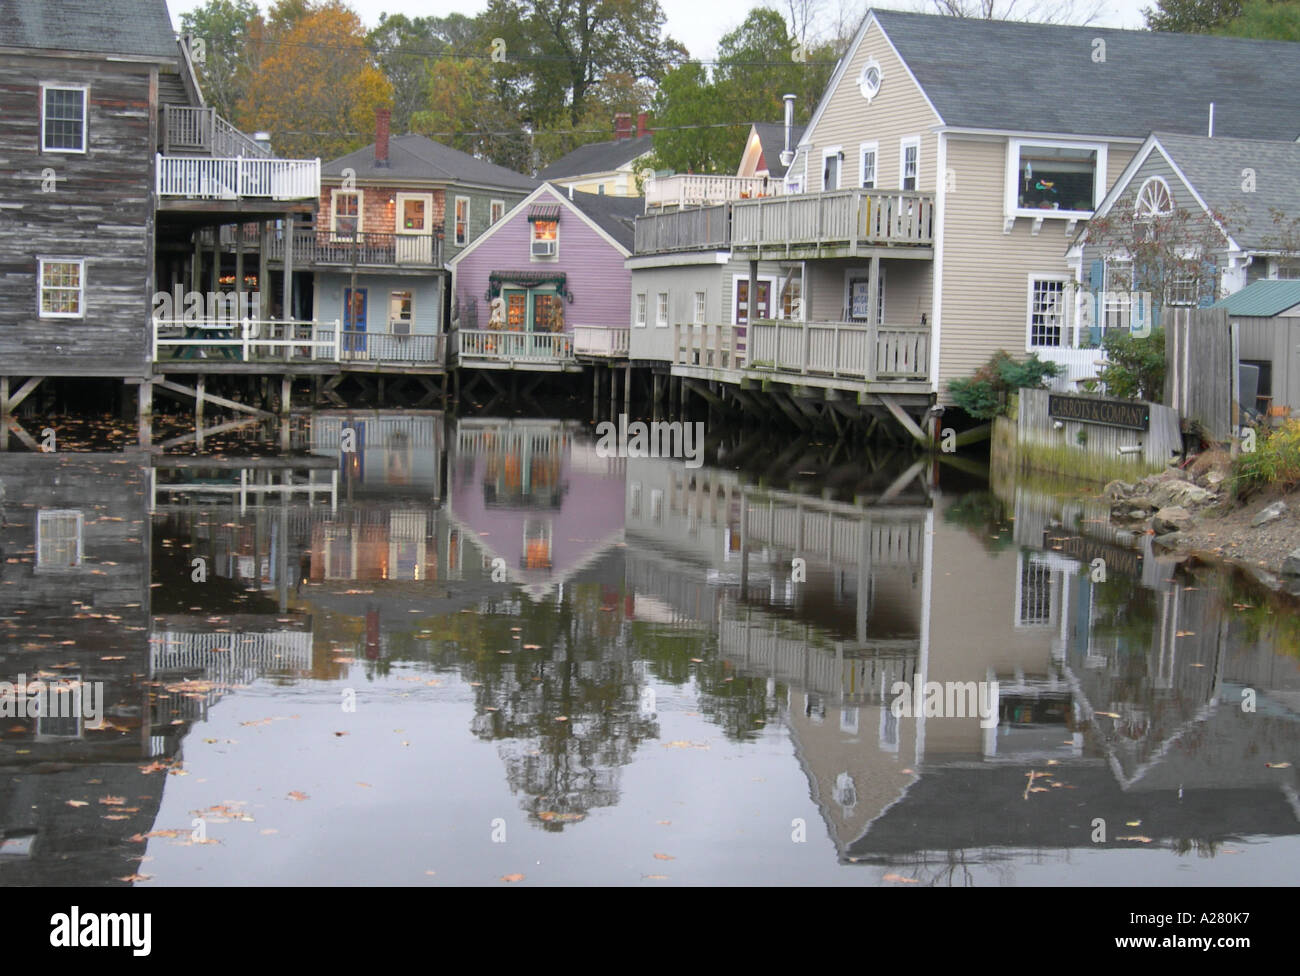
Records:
x=593, y=267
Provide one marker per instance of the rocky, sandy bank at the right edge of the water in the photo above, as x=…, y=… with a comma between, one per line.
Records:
x=1194, y=511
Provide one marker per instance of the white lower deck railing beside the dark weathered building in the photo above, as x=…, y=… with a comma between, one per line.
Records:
x=249, y=341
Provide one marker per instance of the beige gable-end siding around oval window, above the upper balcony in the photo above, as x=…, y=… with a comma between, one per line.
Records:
x=899, y=111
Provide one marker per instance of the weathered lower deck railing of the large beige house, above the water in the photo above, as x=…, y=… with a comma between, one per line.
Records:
x=870, y=353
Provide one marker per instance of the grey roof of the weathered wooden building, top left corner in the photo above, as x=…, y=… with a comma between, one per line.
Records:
x=124, y=28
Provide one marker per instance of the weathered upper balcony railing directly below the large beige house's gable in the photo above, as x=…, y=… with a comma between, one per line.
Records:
x=838, y=218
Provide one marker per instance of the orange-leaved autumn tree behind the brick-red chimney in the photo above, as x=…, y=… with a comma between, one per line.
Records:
x=315, y=86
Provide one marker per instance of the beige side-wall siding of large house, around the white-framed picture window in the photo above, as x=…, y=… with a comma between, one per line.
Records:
x=986, y=274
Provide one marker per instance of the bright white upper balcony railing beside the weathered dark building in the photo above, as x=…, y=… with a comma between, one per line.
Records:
x=224, y=179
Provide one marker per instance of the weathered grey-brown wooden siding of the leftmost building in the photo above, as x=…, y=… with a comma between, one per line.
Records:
x=101, y=211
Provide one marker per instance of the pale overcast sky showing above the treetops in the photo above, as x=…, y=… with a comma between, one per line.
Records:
x=696, y=25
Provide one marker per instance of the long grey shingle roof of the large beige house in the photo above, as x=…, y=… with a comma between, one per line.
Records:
x=1042, y=79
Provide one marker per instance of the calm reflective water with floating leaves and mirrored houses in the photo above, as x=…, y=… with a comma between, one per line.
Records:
x=470, y=650
